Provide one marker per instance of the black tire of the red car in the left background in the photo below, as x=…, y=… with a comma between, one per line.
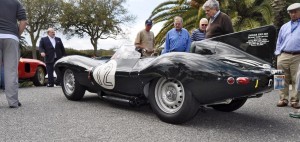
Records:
x=39, y=77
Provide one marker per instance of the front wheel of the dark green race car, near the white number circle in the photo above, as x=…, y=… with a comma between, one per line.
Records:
x=71, y=87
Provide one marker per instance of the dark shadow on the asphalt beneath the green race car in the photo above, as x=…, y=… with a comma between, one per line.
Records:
x=245, y=120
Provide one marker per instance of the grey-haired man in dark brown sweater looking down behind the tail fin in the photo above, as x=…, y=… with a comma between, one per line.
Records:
x=219, y=22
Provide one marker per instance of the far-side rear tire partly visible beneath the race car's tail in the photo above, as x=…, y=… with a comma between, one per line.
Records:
x=232, y=106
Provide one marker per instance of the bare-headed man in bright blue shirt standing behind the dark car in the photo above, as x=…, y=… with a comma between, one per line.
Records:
x=177, y=39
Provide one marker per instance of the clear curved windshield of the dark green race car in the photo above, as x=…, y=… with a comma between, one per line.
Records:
x=126, y=52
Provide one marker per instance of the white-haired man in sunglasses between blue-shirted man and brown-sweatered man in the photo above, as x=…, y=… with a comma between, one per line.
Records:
x=199, y=34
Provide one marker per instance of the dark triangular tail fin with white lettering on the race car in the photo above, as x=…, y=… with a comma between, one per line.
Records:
x=259, y=42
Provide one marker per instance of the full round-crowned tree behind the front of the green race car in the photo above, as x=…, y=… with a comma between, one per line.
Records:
x=98, y=19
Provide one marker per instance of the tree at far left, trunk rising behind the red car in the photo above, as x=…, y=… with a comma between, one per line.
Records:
x=41, y=14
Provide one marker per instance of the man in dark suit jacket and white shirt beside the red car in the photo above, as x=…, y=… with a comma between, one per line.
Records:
x=52, y=49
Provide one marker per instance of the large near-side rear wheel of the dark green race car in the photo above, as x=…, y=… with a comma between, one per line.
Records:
x=171, y=102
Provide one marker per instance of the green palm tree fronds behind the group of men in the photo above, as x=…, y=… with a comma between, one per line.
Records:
x=245, y=14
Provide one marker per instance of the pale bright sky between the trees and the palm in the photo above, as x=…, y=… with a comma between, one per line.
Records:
x=140, y=8
